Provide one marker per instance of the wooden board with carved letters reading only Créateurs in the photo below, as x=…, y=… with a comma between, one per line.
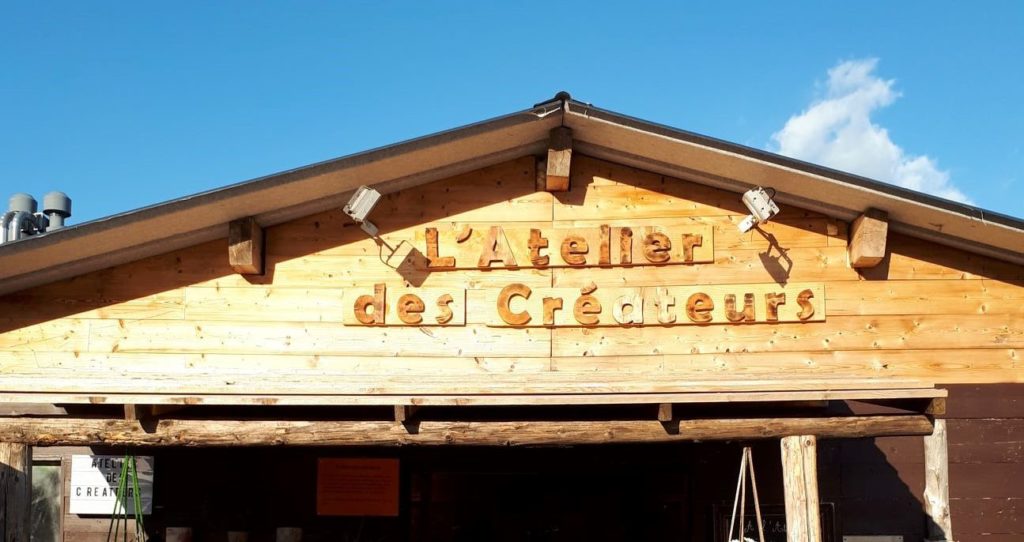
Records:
x=520, y=306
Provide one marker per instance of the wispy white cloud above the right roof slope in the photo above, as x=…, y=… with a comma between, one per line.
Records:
x=837, y=132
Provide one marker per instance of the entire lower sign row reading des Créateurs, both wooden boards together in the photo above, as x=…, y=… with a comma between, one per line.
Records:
x=518, y=305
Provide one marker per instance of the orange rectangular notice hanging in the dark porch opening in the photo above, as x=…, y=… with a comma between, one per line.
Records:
x=358, y=487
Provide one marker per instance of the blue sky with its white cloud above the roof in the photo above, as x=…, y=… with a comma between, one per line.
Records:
x=127, y=105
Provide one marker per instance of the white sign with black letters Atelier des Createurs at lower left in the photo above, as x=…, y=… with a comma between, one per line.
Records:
x=95, y=484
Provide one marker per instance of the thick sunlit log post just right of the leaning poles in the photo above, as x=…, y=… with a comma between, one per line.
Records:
x=800, y=478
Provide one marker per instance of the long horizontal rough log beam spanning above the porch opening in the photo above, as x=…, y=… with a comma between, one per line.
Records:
x=65, y=432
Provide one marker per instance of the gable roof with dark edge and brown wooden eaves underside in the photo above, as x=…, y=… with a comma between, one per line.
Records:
x=282, y=197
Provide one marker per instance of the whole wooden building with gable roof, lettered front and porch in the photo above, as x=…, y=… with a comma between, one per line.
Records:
x=561, y=335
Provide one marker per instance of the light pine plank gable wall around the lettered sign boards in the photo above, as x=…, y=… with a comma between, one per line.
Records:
x=186, y=323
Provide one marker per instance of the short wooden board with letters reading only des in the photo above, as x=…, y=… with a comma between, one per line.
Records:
x=405, y=307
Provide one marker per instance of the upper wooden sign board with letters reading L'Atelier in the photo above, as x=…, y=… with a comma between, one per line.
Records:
x=461, y=247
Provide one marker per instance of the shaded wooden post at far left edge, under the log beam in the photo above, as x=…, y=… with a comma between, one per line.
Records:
x=16, y=491
